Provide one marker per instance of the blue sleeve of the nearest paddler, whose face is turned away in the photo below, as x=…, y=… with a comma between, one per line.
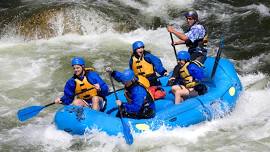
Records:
x=138, y=95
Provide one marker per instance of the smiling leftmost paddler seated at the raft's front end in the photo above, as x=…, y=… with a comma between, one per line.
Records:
x=84, y=88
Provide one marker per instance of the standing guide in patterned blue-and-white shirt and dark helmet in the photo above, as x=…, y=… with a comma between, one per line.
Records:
x=195, y=38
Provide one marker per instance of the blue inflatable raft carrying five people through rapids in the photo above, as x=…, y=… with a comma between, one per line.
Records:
x=223, y=92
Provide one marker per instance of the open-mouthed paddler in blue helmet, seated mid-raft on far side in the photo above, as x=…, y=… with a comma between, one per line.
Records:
x=146, y=64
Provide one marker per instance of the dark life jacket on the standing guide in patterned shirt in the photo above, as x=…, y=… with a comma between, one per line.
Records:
x=198, y=45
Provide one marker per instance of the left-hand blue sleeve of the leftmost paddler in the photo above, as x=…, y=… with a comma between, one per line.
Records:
x=69, y=92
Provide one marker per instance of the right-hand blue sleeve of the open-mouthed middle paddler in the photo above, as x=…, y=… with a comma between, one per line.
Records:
x=156, y=63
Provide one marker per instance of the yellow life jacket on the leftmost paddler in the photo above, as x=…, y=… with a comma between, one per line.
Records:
x=84, y=89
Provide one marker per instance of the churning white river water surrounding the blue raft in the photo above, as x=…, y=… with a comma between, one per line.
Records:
x=34, y=73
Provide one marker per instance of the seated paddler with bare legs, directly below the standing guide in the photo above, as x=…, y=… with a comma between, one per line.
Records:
x=186, y=78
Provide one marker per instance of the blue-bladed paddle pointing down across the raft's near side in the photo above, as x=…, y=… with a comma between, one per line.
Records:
x=126, y=129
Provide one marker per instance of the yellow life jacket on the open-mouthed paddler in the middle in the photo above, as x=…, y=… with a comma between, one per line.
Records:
x=142, y=67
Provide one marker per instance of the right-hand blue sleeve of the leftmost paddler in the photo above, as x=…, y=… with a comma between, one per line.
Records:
x=94, y=78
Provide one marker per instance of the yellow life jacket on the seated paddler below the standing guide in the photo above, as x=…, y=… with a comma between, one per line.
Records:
x=189, y=82
